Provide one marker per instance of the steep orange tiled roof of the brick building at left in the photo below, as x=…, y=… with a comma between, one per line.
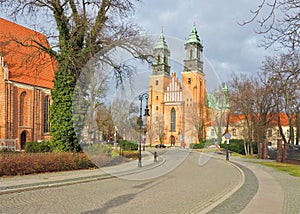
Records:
x=26, y=64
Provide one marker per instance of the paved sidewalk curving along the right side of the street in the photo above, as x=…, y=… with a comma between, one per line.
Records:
x=259, y=193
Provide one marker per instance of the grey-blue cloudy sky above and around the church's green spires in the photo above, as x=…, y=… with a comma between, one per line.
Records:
x=228, y=47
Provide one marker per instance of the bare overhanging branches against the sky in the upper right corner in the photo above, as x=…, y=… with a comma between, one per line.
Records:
x=279, y=21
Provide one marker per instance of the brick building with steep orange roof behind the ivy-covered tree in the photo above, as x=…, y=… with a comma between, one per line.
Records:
x=26, y=78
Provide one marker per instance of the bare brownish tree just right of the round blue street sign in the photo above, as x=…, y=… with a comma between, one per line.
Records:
x=252, y=99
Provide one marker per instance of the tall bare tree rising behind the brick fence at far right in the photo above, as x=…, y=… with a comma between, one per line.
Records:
x=282, y=77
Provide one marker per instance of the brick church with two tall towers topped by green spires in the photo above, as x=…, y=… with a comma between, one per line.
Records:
x=176, y=109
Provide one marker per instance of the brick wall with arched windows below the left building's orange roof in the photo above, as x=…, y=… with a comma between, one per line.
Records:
x=17, y=117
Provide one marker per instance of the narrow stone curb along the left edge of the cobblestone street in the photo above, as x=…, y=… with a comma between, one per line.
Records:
x=72, y=181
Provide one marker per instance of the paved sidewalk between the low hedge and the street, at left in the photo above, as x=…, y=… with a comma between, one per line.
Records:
x=44, y=180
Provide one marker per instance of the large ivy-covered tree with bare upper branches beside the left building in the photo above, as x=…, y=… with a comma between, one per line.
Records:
x=83, y=29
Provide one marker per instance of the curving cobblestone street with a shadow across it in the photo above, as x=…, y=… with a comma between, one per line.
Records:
x=189, y=188
